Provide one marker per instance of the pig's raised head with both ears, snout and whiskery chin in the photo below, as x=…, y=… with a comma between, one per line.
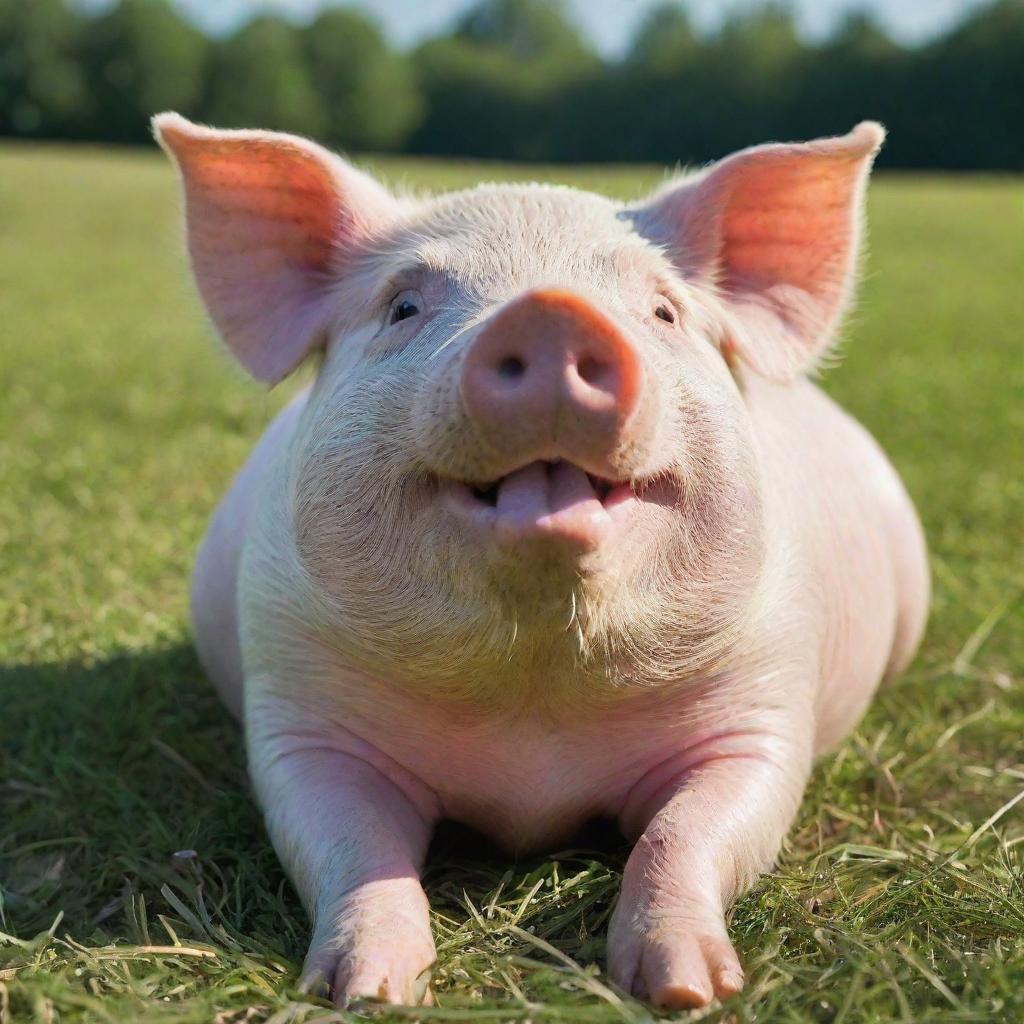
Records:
x=528, y=441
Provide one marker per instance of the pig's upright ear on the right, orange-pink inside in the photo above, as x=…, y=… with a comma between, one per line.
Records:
x=776, y=230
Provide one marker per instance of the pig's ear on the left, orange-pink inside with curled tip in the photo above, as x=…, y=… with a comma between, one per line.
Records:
x=272, y=221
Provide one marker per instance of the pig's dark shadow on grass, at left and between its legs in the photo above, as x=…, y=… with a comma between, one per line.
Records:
x=124, y=777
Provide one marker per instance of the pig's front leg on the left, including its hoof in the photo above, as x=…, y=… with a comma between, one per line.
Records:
x=352, y=830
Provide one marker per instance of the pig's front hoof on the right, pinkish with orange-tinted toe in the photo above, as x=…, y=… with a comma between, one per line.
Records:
x=676, y=968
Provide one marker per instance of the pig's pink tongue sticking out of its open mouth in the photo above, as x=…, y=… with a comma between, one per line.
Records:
x=550, y=501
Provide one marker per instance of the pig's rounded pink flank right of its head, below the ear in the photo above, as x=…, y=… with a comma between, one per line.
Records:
x=860, y=548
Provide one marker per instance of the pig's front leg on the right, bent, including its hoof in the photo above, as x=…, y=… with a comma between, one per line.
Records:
x=709, y=823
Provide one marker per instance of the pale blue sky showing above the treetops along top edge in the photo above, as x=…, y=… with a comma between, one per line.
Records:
x=609, y=23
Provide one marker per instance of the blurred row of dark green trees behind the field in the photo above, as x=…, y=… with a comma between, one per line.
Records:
x=518, y=80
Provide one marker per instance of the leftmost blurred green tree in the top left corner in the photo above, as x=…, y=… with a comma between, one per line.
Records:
x=41, y=90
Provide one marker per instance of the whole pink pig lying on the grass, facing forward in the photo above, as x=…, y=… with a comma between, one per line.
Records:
x=562, y=531
